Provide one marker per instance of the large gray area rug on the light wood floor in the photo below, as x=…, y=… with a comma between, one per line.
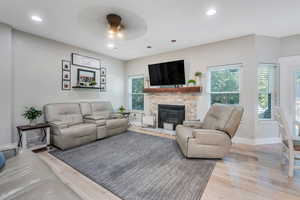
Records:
x=137, y=166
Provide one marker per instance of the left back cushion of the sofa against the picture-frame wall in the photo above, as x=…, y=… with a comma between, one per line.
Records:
x=65, y=112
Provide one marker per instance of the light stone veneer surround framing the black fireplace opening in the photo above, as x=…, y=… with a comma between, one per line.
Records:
x=190, y=100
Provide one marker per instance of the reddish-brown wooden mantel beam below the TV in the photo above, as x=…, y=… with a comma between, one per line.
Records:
x=195, y=89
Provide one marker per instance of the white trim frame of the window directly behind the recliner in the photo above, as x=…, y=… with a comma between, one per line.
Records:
x=238, y=66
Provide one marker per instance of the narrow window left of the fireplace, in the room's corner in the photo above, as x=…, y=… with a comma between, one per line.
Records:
x=136, y=93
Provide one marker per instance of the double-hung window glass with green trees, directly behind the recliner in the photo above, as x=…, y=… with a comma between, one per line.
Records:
x=224, y=84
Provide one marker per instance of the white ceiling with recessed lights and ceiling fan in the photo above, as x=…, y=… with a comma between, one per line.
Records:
x=151, y=22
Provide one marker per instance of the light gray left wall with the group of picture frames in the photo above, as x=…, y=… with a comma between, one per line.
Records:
x=36, y=81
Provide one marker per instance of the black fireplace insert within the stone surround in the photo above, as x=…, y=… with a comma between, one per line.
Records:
x=172, y=114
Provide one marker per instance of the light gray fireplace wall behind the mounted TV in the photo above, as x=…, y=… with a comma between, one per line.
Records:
x=239, y=50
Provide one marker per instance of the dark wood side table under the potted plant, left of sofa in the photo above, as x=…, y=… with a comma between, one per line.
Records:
x=45, y=130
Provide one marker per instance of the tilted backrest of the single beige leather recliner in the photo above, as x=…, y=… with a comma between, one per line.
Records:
x=225, y=118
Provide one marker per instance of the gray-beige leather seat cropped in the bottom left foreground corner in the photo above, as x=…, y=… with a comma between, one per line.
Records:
x=26, y=177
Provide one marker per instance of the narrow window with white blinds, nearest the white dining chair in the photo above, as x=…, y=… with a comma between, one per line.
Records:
x=267, y=90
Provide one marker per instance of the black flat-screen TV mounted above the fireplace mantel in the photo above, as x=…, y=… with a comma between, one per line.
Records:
x=169, y=73
